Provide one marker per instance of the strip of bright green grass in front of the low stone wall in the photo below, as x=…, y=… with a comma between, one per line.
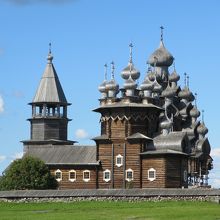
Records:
x=110, y=210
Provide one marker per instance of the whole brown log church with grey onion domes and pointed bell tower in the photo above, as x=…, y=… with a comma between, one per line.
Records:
x=150, y=134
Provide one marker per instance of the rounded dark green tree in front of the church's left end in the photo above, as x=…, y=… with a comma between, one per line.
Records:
x=27, y=173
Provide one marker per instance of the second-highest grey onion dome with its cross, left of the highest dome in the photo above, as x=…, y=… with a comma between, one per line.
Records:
x=130, y=70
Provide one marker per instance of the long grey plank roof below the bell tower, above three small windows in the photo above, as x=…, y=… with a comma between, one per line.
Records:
x=63, y=154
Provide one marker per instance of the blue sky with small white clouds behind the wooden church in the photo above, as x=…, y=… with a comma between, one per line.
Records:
x=85, y=34
